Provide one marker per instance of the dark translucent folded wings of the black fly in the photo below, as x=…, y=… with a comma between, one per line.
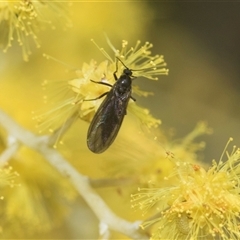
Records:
x=107, y=121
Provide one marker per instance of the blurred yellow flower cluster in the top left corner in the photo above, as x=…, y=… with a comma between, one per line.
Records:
x=21, y=19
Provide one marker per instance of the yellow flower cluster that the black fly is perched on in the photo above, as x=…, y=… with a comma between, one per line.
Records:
x=82, y=88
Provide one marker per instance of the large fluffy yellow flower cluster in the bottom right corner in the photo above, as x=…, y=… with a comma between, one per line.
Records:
x=201, y=204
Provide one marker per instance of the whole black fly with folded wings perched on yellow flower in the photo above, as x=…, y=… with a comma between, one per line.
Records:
x=109, y=116
